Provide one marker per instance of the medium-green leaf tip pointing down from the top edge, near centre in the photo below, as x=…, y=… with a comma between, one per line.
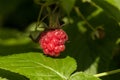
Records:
x=67, y=5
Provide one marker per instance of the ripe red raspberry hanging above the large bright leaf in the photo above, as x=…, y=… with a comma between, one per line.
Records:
x=52, y=41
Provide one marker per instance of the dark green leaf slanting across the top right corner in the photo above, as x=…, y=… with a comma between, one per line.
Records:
x=113, y=11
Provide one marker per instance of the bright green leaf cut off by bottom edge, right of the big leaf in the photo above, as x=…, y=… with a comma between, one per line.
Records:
x=83, y=76
